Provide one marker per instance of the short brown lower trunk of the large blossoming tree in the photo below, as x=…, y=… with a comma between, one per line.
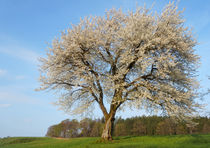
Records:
x=108, y=128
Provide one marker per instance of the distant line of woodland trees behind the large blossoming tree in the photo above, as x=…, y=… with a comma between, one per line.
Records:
x=136, y=126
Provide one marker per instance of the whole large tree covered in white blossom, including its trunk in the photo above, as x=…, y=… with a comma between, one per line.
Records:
x=136, y=59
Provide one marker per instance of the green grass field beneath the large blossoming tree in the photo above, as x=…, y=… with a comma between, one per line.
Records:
x=178, y=141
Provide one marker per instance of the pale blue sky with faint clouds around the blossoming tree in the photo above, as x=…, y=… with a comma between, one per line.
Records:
x=27, y=26
